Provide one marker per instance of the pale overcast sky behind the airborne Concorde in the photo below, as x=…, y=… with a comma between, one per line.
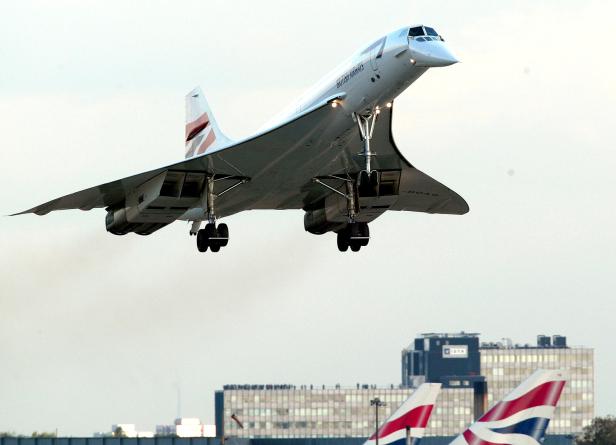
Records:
x=97, y=329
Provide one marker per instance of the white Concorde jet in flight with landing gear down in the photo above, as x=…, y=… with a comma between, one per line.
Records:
x=331, y=154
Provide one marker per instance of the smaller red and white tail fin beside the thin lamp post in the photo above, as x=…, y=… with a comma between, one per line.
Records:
x=414, y=414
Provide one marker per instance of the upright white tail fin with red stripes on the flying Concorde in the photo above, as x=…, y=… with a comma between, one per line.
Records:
x=202, y=132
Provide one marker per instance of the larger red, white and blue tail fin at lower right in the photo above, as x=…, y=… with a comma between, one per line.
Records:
x=522, y=417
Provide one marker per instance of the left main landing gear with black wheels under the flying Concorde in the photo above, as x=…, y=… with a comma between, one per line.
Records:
x=213, y=236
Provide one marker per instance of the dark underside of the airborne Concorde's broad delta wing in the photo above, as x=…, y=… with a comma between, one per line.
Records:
x=280, y=164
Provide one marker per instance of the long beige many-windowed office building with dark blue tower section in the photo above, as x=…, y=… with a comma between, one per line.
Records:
x=474, y=375
